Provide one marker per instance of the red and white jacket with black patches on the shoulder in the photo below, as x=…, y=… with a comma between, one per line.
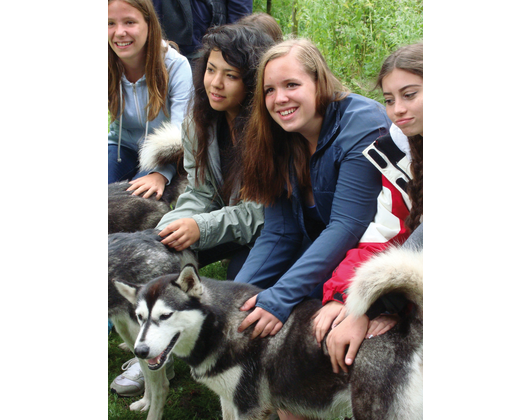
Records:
x=388, y=227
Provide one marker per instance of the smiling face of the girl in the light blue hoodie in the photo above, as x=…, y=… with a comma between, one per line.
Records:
x=127, y=33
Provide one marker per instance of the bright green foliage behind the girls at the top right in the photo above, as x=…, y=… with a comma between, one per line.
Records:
x=355, y=36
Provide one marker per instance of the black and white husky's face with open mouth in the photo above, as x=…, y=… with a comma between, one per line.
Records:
x=169, y=315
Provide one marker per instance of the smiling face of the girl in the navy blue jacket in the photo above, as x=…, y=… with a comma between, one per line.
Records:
x=290, y=96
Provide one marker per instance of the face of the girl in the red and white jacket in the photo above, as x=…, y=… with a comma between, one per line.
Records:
x=403, y=92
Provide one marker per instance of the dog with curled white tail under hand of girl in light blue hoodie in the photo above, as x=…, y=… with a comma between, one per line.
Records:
x=128, y=213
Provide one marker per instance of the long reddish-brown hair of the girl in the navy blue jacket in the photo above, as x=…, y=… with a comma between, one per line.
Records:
x=270, y=150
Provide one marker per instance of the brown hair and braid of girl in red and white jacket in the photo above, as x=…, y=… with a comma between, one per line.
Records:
x=410, y=58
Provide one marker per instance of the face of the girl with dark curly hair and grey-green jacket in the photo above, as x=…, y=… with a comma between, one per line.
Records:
x=224, y=85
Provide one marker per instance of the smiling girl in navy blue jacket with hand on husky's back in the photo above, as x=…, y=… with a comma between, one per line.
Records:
x=304, y=162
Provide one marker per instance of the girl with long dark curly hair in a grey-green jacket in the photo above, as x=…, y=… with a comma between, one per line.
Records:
x=210, y=217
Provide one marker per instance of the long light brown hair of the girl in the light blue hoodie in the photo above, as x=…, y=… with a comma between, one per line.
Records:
x=155, y=70
